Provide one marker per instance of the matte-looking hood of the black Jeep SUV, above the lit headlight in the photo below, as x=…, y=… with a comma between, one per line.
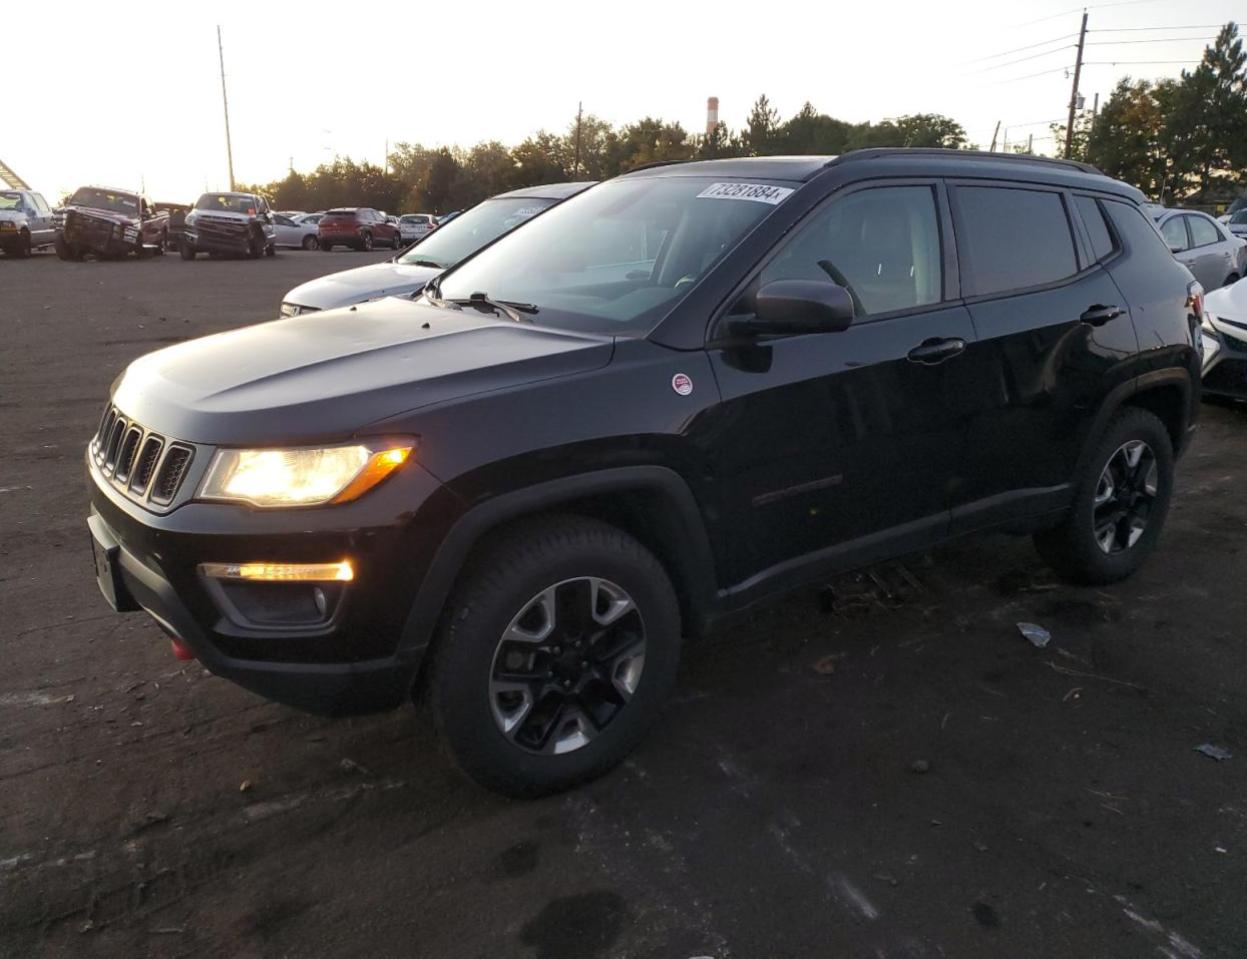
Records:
x=327, y=376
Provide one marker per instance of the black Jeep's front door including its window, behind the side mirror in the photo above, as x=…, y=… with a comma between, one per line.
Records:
x=844, y=448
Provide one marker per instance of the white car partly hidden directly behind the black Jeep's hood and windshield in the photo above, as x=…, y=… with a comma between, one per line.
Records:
x=410, y=271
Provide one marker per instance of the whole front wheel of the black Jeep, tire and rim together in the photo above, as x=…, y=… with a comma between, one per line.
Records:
x=556, y=657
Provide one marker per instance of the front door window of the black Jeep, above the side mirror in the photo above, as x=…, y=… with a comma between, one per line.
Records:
x=882, y=245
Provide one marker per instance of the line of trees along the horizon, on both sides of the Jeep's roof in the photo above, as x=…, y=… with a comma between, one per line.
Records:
x=1180, y=140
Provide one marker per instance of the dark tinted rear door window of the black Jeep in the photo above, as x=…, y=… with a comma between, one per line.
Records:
x=1013, y=239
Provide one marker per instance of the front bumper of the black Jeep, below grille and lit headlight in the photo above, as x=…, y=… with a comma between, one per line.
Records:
x=359, y=658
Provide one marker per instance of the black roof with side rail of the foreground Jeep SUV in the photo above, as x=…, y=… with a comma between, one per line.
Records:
x=905, y=161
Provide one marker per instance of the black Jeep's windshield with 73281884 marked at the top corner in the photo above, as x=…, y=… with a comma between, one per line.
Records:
x=618, y=258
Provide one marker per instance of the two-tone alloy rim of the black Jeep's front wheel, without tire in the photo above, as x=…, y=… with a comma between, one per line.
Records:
x=567, y=665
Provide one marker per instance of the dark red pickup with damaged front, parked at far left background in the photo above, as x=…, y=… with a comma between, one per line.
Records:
x=109, y=224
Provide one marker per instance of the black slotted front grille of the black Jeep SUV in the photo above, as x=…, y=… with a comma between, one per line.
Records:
x=147, y=467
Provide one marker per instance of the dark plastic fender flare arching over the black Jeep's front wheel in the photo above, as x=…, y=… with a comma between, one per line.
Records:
x=694, y=562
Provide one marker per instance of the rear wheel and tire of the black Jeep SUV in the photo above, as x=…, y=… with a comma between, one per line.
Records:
x=1120, y=503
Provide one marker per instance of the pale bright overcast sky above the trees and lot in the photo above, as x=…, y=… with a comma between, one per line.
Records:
x=130, y=95
